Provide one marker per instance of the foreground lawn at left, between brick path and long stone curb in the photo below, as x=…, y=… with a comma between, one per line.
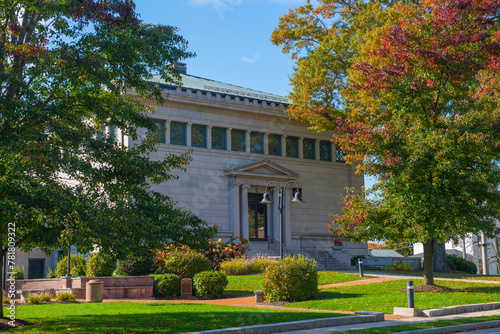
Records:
x=147, y=317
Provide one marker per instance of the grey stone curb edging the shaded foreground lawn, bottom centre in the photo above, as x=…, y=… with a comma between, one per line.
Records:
x=364, y=317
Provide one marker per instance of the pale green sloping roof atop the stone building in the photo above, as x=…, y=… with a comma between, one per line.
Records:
x=201, y=84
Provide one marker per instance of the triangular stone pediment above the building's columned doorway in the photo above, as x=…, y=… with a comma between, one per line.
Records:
x=263, y=169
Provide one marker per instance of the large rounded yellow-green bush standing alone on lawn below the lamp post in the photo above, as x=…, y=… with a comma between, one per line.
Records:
x=291, y=278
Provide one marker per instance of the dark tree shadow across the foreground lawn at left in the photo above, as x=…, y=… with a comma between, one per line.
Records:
x=196, y=319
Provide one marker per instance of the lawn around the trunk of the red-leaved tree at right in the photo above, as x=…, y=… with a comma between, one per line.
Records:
x=384, y=296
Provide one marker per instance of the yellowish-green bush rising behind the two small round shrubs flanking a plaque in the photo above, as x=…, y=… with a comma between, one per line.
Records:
x=185, y=264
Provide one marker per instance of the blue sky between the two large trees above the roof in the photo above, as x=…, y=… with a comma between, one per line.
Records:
x=230, y=37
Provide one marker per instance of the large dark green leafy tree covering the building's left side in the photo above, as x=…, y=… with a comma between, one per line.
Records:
x=64, y=174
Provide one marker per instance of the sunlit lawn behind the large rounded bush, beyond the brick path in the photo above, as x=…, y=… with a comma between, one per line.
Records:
x=245, y=285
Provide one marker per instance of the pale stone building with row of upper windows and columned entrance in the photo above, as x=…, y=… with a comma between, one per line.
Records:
x=241, y=139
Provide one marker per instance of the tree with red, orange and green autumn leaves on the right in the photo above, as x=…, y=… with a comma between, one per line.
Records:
x=411, y=89
